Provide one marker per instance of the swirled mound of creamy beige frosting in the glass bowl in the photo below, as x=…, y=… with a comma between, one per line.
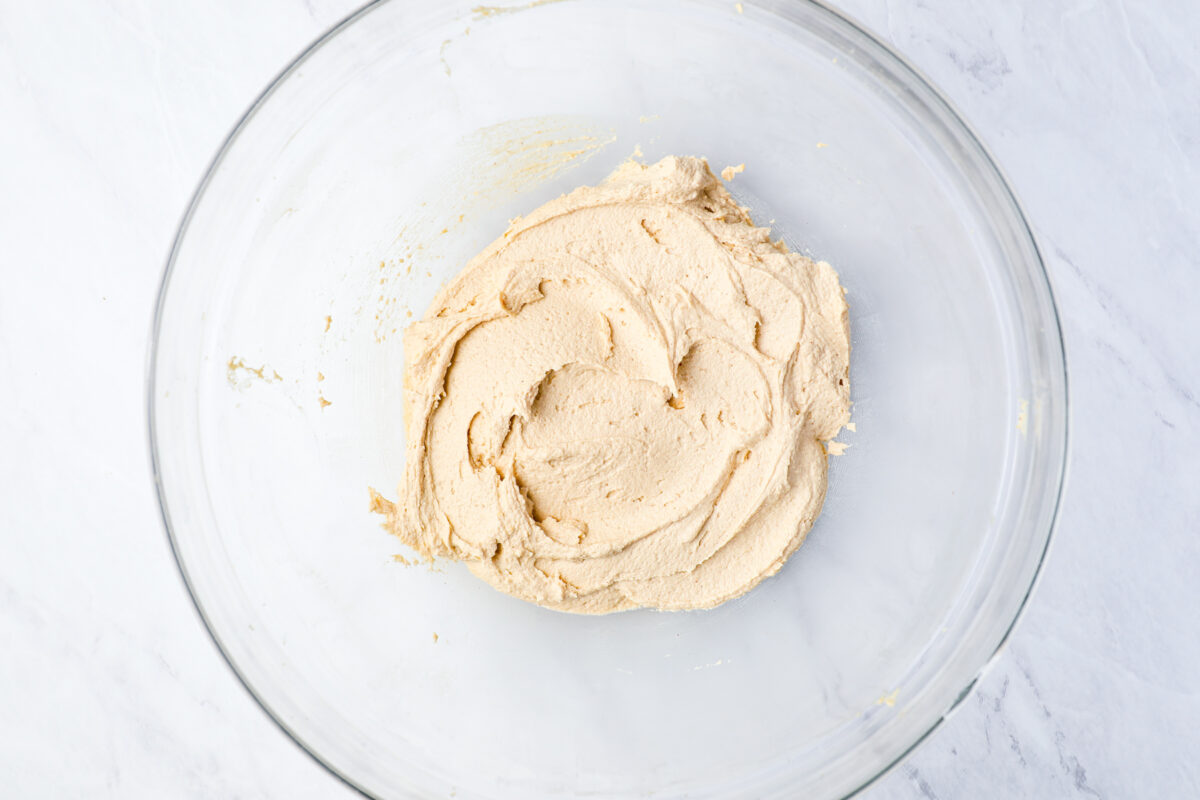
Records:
x=623, y=401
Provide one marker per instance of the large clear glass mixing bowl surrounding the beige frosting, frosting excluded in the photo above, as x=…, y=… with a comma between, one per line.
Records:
x=398, y=147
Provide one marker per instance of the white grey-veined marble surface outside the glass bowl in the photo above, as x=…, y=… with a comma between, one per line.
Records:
x=109, y=116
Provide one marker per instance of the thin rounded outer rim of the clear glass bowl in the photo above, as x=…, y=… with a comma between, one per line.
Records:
x=904, y=67
